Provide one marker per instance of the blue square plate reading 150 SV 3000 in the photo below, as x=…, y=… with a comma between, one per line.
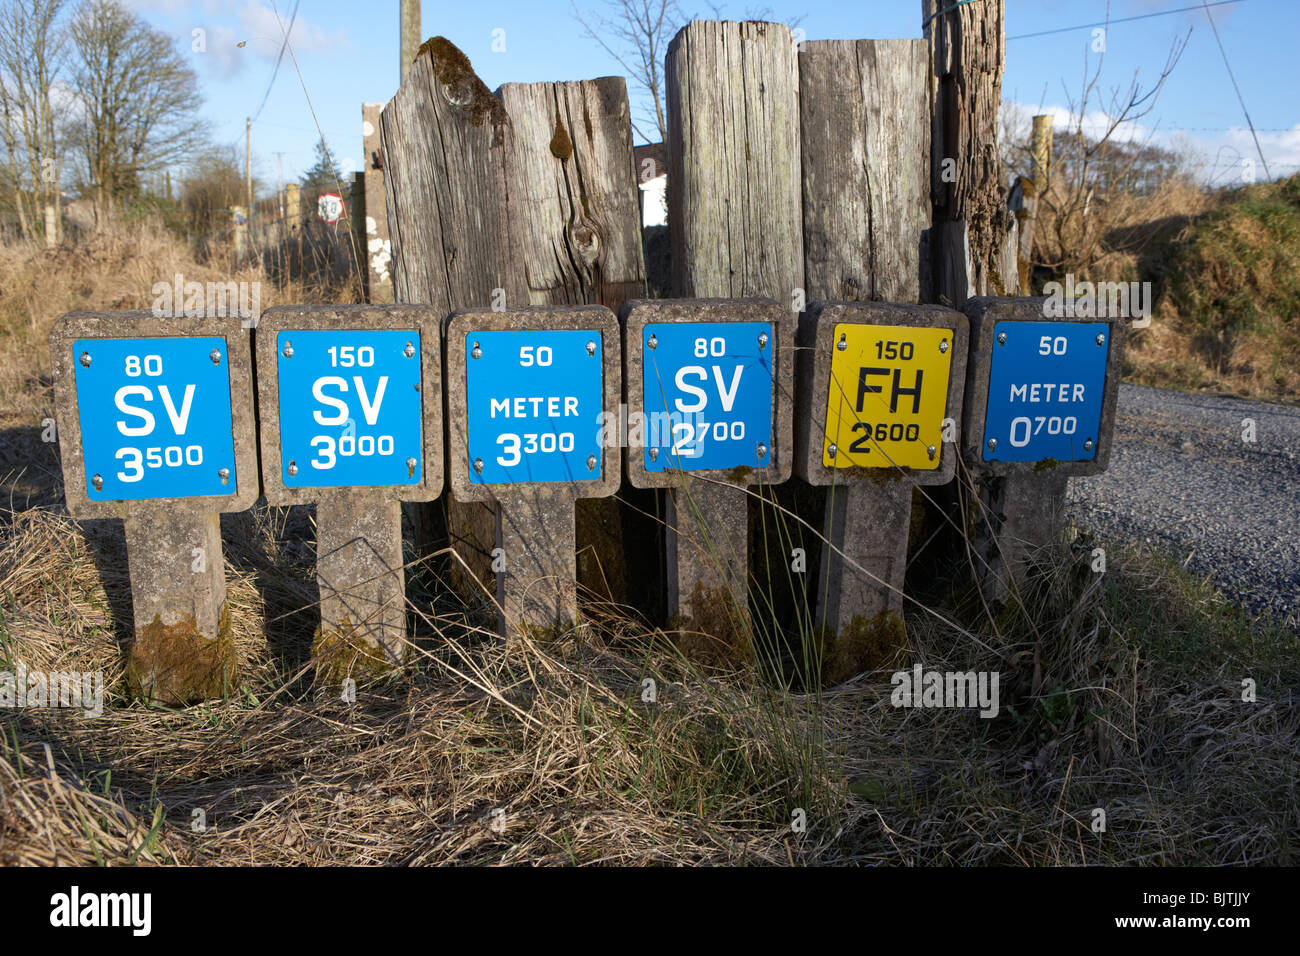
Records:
x=350, y=410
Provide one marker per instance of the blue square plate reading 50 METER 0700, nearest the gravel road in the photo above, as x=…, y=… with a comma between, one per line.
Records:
x=1046, y=387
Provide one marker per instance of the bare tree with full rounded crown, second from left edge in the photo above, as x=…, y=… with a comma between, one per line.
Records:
x=138, y=98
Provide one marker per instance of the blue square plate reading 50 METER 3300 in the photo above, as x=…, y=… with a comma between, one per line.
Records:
x=535, y=403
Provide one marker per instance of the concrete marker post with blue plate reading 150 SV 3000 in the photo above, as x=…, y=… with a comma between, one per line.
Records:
x=350, y=403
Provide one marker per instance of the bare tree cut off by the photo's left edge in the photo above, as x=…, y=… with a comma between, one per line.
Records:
x=33, y=54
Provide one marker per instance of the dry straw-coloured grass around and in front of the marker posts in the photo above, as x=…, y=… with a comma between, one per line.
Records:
x=1119, y=693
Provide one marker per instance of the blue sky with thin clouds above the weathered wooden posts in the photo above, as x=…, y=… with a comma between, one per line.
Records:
x=348, y=54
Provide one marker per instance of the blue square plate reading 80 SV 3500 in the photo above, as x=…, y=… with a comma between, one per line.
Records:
x=155, y=418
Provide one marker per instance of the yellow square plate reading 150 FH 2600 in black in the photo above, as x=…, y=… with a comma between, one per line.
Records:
x=889, y=397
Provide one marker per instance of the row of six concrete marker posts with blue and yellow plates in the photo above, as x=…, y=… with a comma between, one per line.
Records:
x=157, y=426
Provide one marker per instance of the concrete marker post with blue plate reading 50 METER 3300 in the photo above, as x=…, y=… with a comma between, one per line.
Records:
x=531, y=397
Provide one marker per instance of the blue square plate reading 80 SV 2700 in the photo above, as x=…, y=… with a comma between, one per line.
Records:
x=708, y=395
